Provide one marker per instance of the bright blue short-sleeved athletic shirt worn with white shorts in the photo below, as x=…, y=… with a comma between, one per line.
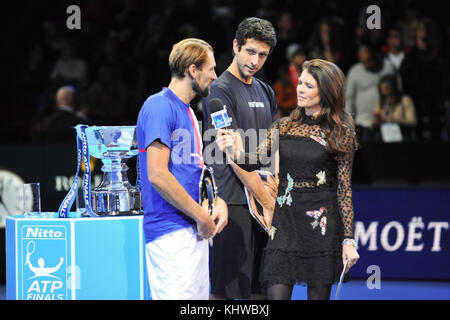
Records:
x=168, y=120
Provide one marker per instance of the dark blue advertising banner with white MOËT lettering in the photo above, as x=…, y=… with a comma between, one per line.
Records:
x=403, y=233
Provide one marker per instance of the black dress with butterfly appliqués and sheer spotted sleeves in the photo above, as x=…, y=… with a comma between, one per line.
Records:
x=314, y=210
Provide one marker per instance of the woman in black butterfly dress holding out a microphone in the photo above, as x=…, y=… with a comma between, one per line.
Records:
x=313, y=218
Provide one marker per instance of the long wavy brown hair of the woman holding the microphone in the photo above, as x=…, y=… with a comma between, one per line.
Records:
x=333, y=117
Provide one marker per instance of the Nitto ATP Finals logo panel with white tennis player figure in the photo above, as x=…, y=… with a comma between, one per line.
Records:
x=44, y=262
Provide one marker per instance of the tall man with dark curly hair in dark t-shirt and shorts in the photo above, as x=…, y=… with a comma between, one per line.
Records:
x=237, y=251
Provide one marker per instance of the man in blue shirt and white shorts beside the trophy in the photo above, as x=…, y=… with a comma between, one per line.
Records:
x=176, y=227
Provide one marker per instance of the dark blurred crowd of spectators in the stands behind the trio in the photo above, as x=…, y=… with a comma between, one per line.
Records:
x=397, y=76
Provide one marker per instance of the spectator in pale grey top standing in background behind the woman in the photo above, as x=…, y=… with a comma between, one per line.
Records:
x=362, y=90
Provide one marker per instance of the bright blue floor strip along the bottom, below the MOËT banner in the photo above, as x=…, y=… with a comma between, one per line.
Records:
x=357, y=290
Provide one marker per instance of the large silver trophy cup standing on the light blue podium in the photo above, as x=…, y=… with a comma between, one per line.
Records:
x=114, y=145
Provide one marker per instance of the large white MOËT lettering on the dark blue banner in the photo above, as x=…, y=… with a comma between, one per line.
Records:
x=414, y=243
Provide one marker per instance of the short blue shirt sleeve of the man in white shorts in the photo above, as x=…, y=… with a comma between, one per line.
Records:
x=157, y=121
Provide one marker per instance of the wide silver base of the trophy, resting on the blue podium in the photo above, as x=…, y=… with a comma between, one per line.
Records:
x=117, y=202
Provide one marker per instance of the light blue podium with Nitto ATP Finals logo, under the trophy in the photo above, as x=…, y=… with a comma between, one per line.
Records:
x=76, y=259
